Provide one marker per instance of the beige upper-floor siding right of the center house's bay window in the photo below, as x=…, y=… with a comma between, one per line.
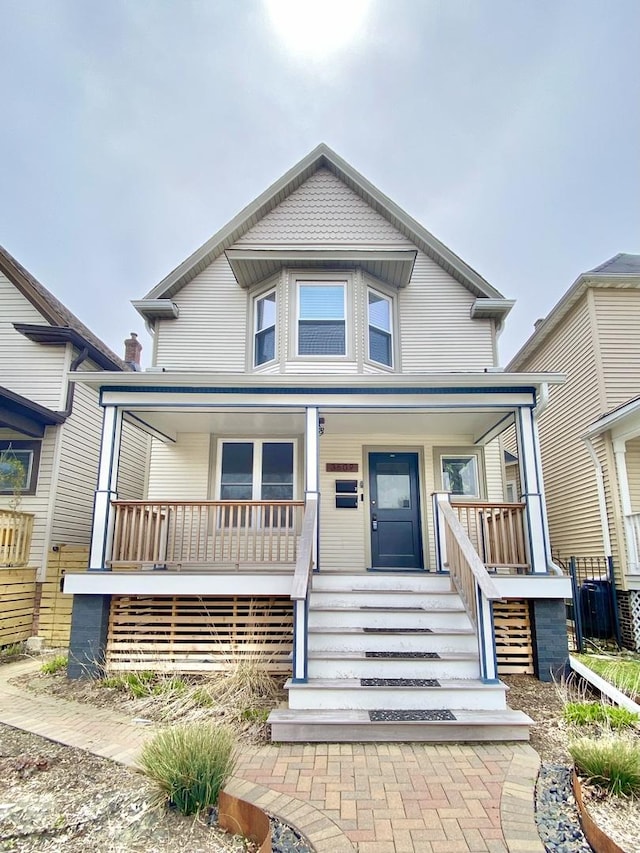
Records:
x=436, y=330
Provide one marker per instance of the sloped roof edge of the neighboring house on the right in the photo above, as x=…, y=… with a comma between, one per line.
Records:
x=623, y=270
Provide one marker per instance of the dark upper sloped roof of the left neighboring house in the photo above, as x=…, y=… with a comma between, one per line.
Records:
x=56, y=314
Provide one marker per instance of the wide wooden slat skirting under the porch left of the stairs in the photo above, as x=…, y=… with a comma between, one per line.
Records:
x=192, y=634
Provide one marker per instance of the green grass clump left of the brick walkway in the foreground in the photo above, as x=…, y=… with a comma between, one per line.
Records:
x=190, y=764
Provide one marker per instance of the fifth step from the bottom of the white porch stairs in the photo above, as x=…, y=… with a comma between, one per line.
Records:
x=382, y=617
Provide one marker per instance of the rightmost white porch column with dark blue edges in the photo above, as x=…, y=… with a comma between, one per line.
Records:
x=531, y=480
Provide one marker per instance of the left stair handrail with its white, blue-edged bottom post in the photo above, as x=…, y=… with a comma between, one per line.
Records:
x=300, y=588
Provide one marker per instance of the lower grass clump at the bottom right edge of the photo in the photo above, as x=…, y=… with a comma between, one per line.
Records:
x=611, y=763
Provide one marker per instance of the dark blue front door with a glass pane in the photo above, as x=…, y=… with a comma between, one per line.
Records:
x=396, y=542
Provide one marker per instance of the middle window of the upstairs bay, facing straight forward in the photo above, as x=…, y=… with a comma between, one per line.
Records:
x=322, y=318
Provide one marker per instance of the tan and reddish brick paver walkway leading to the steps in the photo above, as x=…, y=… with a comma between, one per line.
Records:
x=369, y=798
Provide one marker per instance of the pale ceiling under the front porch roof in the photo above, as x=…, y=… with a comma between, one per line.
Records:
x=243, y=422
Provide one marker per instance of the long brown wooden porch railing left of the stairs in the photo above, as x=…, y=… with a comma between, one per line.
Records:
x=205, y=534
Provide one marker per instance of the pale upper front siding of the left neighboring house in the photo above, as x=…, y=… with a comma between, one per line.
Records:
x=33, y=370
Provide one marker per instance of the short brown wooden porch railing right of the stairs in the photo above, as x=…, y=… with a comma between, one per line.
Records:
x=496, y=531
